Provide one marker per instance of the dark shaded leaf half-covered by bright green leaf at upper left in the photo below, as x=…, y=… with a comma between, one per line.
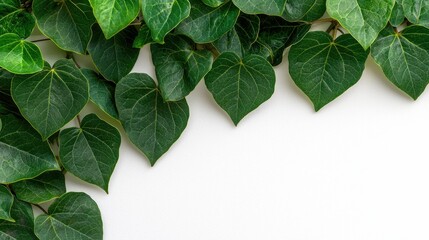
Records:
x=114, y=58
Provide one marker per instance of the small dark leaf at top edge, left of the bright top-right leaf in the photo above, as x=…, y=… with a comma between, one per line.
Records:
x=304, y=10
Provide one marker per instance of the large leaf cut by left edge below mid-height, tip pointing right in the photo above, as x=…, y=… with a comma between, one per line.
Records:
x=22, y=154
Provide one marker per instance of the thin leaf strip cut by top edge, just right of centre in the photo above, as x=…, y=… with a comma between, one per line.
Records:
x=268, y=7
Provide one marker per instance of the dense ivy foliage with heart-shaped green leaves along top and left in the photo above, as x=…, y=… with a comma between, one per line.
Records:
x=230, y=45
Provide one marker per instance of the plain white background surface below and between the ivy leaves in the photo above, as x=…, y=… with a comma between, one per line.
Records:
x=356, y=170
